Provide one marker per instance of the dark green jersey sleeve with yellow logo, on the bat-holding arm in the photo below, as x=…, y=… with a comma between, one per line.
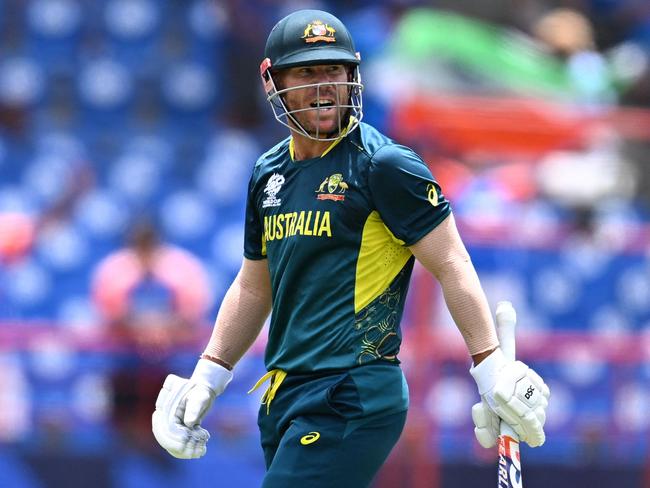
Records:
x=404, y=192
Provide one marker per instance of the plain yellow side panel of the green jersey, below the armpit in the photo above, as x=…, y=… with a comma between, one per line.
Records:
x=381, y=257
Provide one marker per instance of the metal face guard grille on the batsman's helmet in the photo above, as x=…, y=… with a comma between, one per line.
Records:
x=349, y=111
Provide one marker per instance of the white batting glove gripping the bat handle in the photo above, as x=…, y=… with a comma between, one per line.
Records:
x=515, y=393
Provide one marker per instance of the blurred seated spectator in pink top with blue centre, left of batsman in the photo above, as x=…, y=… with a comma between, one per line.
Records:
x=153, y=297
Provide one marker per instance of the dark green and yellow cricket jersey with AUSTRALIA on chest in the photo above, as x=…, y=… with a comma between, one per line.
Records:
x=335, y=230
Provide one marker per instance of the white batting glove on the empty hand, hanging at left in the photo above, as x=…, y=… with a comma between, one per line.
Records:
x=181, y=406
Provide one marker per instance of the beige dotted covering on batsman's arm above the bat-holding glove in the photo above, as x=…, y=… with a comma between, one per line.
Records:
x=443, y=253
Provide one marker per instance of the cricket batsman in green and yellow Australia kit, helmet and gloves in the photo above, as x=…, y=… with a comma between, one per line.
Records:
x=336, y=215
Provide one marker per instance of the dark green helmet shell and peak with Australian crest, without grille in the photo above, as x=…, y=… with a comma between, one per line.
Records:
x=308, y=37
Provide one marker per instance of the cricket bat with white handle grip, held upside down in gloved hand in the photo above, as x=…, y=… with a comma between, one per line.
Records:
x=509, y=469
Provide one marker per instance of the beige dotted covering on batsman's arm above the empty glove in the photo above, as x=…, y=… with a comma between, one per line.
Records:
x=243, y=311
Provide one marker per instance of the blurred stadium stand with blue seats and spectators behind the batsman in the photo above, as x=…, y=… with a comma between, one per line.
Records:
x=128, y=130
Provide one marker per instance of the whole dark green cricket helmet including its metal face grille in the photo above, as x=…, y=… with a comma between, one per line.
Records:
x=307, y=38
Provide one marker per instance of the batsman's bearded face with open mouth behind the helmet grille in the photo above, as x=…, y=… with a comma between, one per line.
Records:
x=324, y=119
